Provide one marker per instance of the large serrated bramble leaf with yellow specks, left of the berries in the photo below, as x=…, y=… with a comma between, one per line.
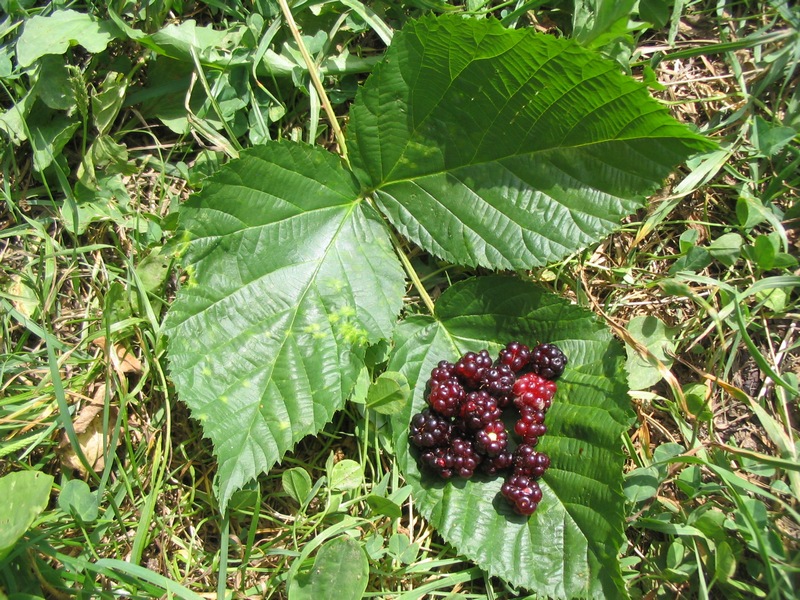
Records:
x=291, y=277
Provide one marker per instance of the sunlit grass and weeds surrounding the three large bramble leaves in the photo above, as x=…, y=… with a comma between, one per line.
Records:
x=712, y=479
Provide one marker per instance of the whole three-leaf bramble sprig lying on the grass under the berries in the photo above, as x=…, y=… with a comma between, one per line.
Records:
x=485, y=147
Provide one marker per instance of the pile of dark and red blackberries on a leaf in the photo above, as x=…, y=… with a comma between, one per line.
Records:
x=462, y=430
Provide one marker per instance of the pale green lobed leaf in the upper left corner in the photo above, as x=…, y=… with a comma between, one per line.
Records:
x=54, y=34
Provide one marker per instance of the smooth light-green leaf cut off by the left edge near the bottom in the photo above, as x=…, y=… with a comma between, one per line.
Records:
x=25, y=495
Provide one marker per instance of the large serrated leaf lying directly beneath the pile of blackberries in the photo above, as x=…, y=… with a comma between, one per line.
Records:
x=568, y=547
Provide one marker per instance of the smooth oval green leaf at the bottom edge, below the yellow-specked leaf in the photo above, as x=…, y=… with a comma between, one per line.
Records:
x=341, y=570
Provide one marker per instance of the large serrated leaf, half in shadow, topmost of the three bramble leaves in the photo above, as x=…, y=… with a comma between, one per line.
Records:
x=504, y=148
